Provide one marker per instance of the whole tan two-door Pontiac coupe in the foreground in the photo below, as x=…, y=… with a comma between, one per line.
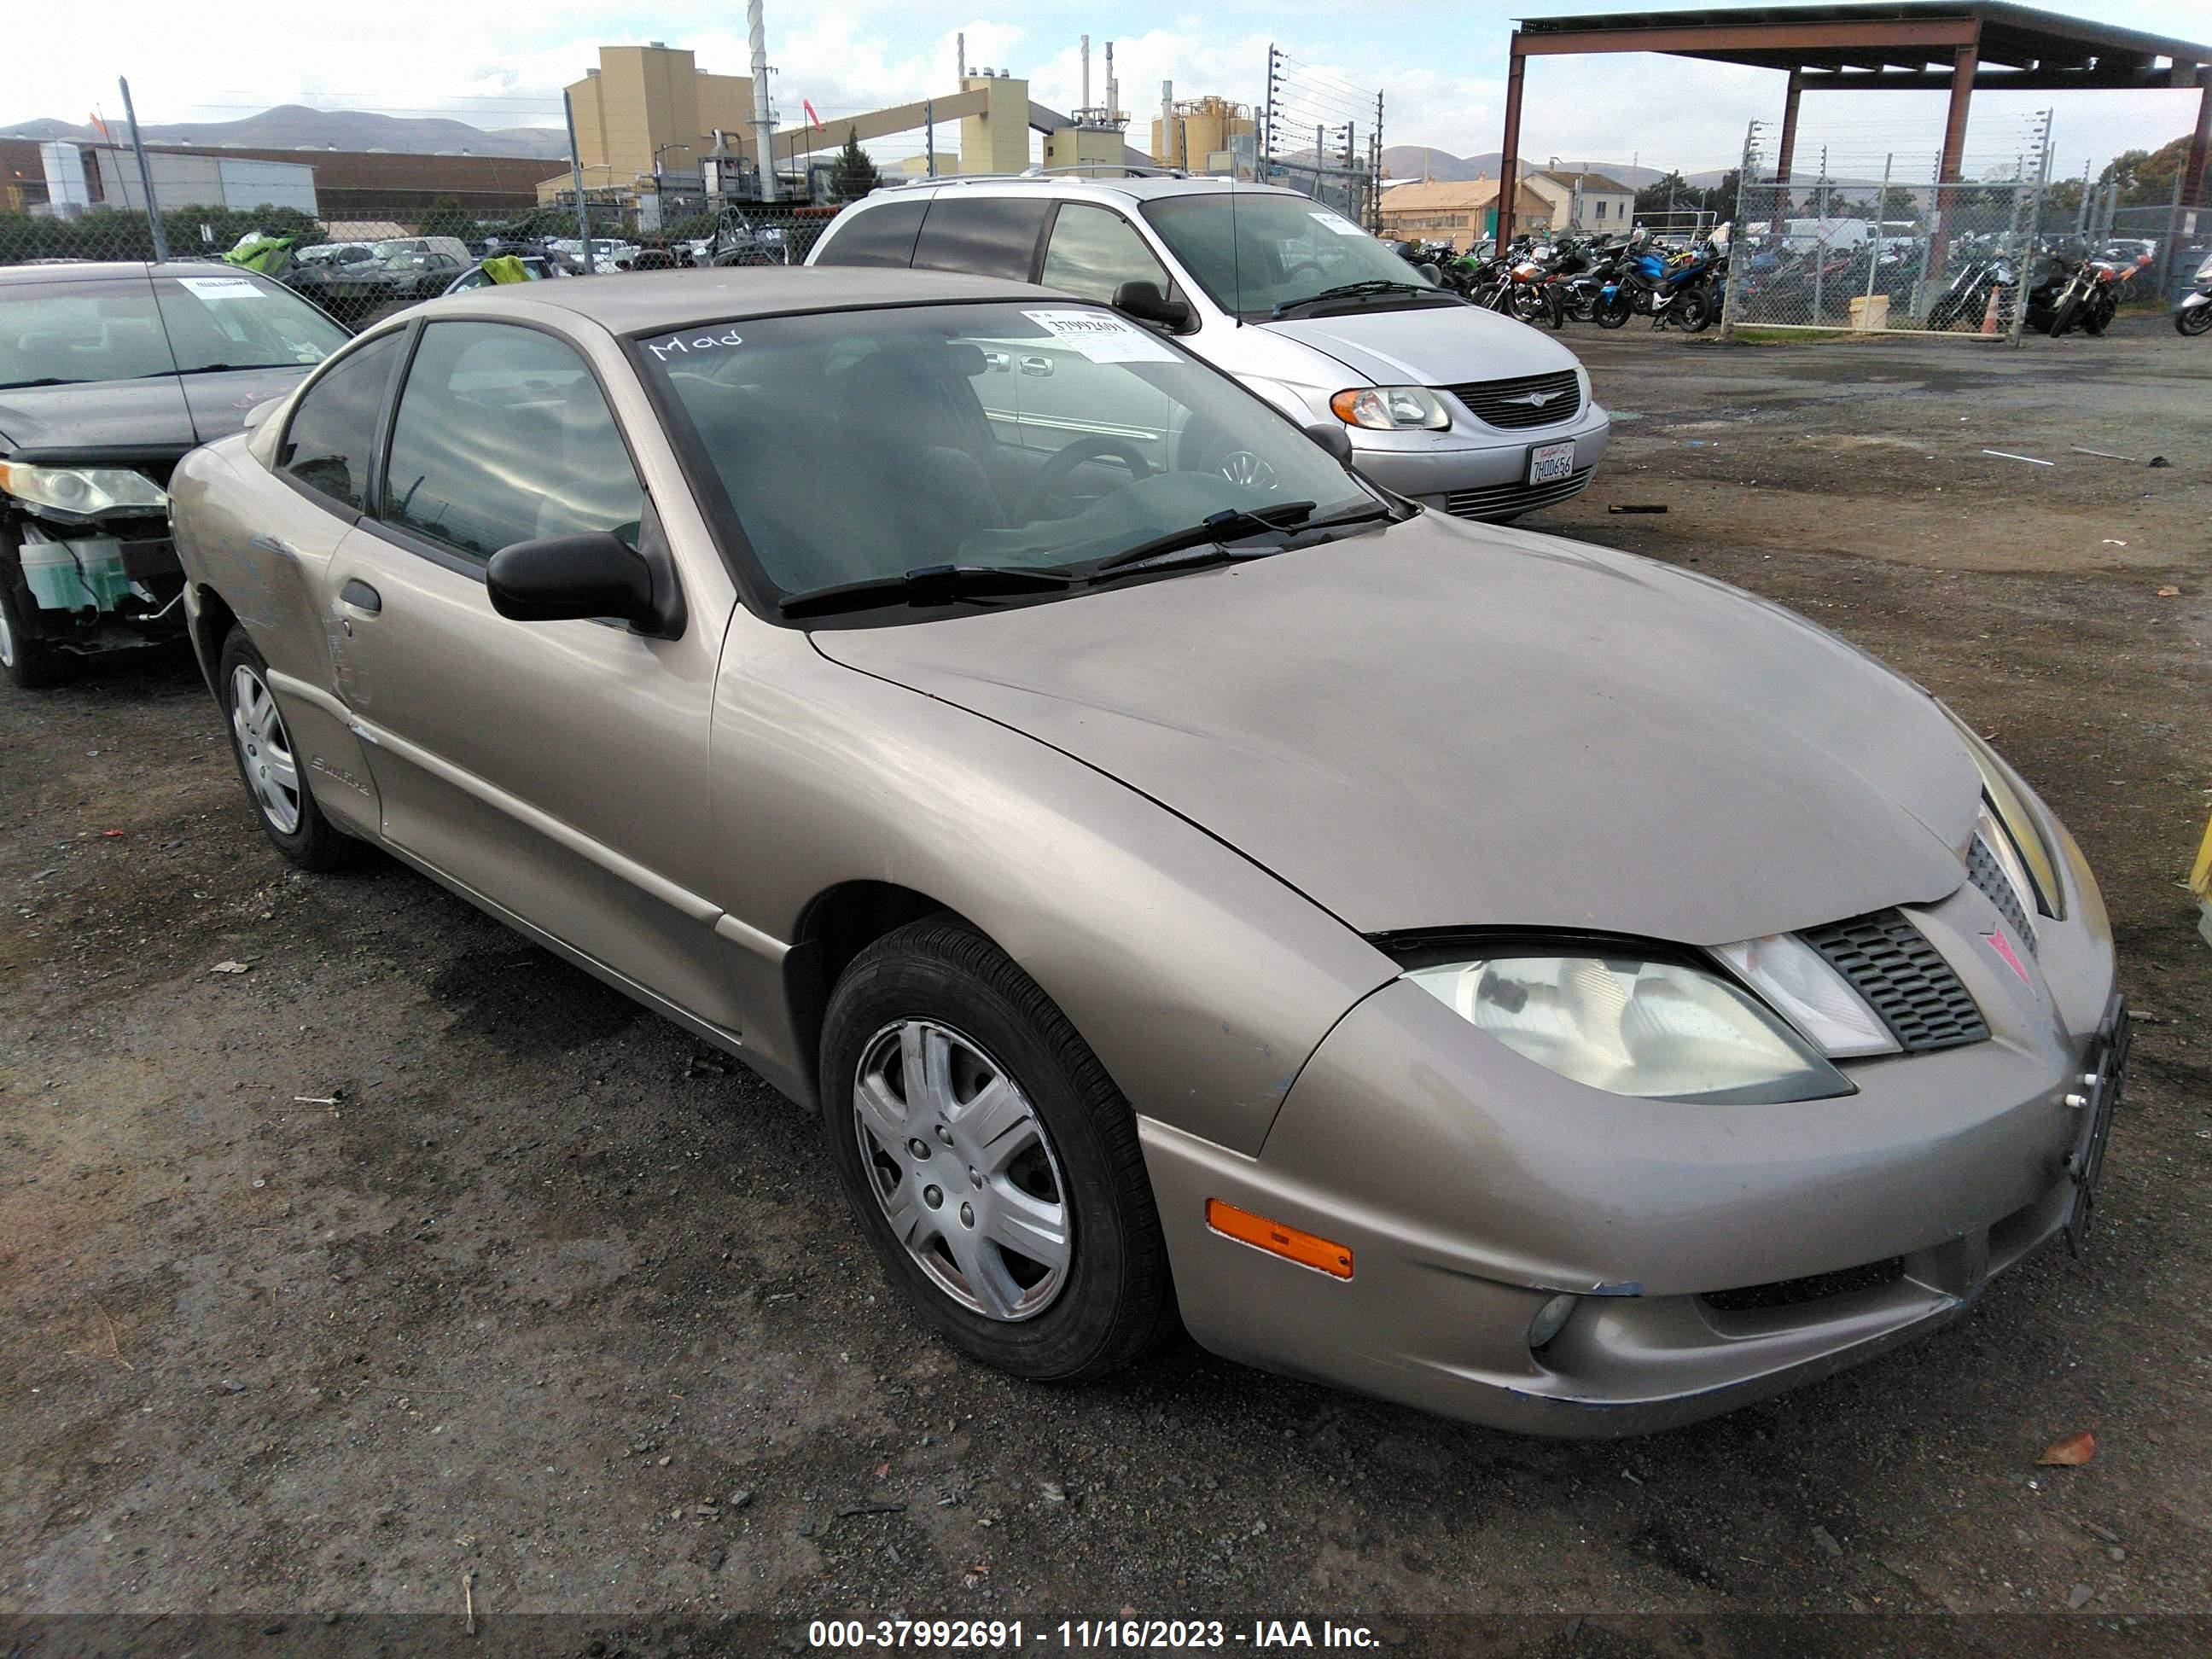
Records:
x=1490, y=972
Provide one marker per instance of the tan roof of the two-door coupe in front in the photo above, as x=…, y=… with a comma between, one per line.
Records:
x=660, y=300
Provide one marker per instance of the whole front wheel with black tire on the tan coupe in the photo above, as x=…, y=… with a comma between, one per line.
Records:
x=990, y=1158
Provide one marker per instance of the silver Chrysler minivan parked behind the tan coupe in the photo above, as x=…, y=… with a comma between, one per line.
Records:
x=1450, y=404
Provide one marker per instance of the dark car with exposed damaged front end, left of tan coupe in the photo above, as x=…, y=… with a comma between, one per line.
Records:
x=107, y=377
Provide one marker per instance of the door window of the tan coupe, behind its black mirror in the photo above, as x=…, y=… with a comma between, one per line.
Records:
x=503, y=437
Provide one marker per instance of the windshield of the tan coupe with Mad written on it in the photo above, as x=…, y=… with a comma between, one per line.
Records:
x=1012, y=437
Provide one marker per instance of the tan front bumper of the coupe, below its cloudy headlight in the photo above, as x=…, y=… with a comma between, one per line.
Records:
x=1718, y=1255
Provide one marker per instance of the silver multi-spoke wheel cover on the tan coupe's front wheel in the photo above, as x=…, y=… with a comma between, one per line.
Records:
x=963, y=1169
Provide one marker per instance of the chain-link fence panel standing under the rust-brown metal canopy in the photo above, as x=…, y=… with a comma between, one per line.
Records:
x=1870, y=240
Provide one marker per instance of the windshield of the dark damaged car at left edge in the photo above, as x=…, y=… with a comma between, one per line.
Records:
x=129, y=331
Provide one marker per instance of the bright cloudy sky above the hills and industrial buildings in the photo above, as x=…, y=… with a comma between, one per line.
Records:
x=1439, y=63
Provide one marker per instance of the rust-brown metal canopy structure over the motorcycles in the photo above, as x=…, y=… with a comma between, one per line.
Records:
x=1892, y=45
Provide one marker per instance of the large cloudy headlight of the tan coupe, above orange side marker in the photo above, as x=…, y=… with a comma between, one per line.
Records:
x=1649, y=1030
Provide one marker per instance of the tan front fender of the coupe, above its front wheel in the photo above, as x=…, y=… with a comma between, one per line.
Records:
x=1198, y=979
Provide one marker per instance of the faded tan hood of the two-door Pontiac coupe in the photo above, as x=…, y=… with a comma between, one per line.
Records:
x=1450, y=727
